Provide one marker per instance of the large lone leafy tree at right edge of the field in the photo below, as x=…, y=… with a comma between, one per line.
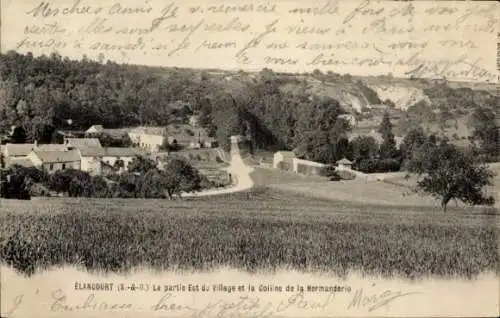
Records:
x=448, y=173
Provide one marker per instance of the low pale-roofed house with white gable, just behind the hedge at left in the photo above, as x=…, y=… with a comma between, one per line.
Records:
x=52, y=161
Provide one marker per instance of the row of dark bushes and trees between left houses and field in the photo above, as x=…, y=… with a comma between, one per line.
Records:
x=143, y=179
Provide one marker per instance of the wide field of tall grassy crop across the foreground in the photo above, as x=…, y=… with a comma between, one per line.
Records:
x=262, y=230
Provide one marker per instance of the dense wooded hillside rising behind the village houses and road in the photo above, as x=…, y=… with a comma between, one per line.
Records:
x=45, y=93
